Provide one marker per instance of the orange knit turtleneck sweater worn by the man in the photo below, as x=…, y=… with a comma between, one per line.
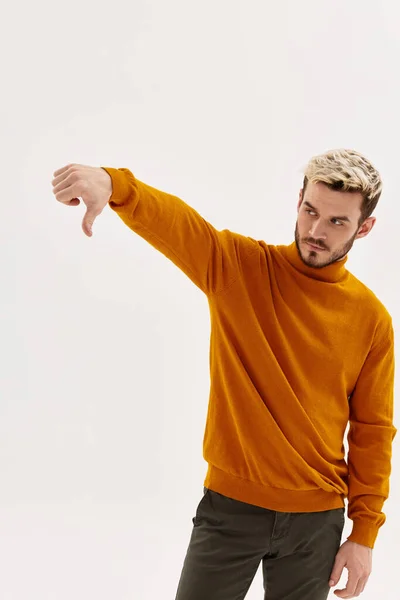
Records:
x=296, y=353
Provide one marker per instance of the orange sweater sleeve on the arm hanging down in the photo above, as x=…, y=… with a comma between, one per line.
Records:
x=370, y=439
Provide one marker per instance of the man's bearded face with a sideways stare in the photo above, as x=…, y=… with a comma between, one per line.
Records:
x=329, y=220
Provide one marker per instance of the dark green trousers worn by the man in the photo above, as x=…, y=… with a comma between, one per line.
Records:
x=230, y=539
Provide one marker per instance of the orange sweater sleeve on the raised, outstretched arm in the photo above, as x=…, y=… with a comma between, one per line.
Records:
x=211, y=259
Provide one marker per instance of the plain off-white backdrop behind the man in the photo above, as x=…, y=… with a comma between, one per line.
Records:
x=104, y=342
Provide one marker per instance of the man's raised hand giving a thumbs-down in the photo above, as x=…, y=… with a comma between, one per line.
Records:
x=92, y=184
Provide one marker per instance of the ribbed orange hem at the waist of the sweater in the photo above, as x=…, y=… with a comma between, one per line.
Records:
x=278, y=499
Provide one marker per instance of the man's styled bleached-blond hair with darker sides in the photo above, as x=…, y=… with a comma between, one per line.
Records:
x=346, y=171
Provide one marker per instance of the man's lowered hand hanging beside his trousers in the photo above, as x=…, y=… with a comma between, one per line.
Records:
x=358, y=561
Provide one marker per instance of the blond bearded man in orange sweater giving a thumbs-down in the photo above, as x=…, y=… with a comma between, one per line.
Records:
x=299, y=347
